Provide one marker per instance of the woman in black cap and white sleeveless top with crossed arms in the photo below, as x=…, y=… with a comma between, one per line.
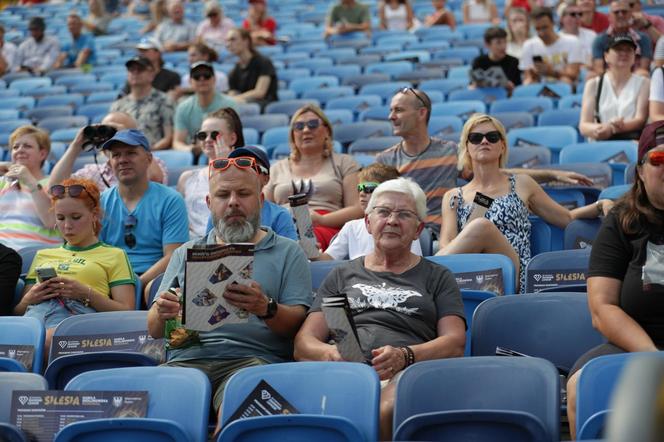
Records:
x=621, y=110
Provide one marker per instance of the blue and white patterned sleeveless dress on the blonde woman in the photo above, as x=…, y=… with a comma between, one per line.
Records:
x=510, y=215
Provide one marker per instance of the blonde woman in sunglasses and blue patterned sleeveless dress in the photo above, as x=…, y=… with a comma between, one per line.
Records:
x=490, y=213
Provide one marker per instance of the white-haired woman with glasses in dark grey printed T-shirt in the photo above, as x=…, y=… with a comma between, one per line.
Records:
x=406, y=308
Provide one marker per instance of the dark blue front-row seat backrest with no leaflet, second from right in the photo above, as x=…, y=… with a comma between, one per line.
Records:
x=528, y=385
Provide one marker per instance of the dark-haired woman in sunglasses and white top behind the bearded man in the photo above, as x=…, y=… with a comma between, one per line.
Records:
x=220, y=133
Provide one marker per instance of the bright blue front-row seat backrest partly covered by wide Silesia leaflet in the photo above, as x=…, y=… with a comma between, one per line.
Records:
x=178, y=394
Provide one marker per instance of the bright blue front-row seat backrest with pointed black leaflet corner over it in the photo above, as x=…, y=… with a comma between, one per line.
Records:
x=345, y=389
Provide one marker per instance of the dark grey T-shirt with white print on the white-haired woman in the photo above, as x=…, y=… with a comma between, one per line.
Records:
x=391, y=309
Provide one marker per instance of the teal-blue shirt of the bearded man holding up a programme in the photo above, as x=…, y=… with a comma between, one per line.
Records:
x=282, y=271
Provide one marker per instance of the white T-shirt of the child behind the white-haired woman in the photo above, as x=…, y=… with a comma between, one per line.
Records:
x=353, y=240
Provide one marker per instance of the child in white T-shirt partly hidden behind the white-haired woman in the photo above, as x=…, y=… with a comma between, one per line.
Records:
x=353, y=240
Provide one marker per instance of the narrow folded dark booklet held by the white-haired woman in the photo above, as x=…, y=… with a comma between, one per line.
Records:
x=342, y=328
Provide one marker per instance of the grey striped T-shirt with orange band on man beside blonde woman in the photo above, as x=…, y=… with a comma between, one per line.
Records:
x=434, y=170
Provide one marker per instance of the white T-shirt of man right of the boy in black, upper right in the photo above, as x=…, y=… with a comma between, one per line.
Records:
x=566, y=50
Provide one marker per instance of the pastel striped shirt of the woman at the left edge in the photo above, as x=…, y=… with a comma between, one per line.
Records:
x=20, y=225
